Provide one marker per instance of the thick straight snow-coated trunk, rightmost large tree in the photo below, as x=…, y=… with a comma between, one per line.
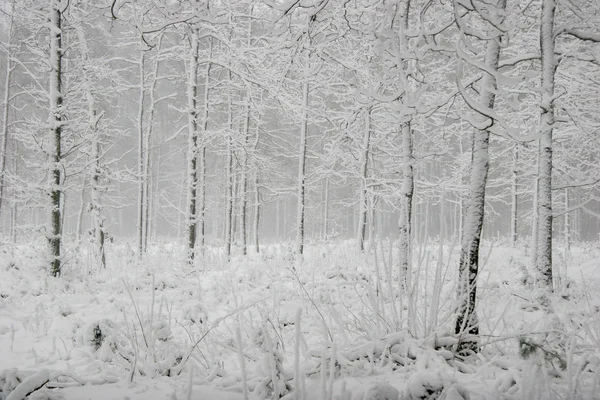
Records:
x=544, y=209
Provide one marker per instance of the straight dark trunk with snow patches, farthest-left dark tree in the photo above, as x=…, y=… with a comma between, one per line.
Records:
x=56, y=112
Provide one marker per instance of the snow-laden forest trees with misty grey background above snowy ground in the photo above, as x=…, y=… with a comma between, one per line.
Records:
x=372, y=117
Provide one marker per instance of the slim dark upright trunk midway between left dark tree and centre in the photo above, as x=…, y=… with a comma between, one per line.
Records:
x=192, y=180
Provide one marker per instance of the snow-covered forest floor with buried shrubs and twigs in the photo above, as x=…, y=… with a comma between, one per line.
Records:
x=264, y=325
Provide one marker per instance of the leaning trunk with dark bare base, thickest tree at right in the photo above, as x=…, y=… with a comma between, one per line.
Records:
x=467, y=321
